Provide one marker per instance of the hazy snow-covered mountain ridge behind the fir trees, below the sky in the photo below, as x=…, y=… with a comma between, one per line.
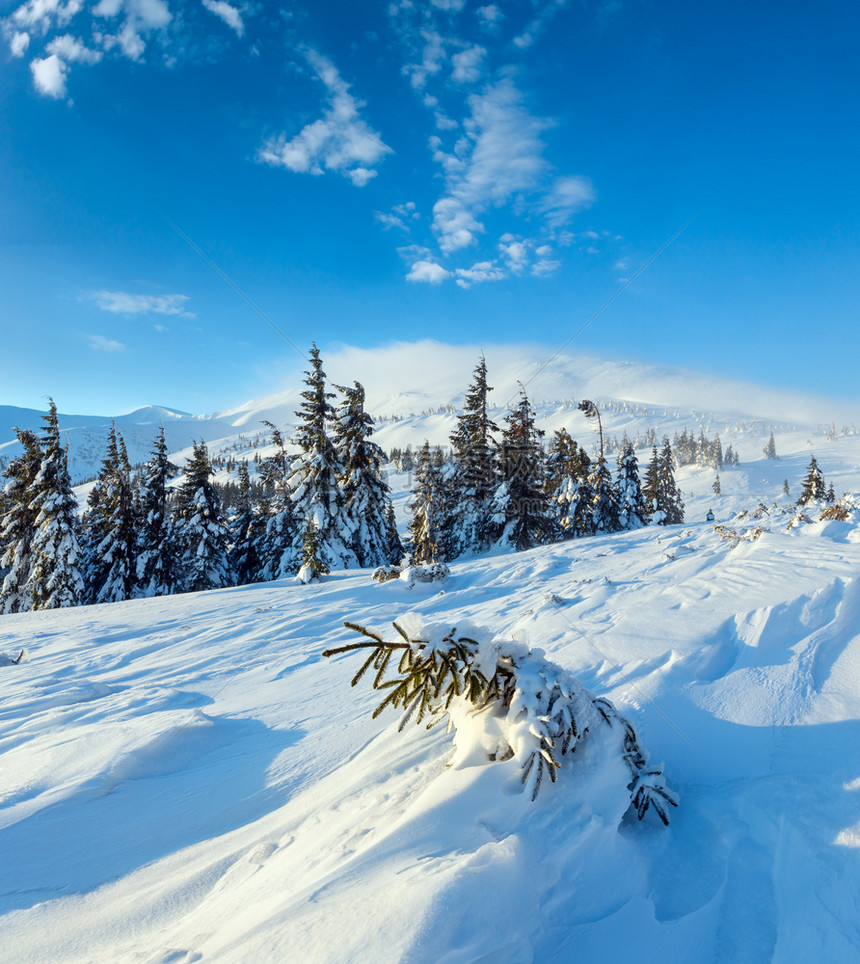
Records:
x=413, y=390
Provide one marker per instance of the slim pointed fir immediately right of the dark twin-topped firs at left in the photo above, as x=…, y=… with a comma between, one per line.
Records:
x=157, y=552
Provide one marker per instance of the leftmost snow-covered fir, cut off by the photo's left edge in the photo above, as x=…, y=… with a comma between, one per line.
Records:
x=18, y=524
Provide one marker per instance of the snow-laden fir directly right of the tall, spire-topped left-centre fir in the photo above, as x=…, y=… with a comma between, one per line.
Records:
x=366, y=494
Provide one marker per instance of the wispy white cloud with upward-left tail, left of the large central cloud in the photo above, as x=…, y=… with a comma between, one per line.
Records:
x=339, y=141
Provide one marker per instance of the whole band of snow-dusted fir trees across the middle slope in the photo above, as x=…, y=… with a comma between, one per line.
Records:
x=326, y=507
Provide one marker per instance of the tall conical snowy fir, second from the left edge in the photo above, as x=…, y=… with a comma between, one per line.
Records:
x=55, y=580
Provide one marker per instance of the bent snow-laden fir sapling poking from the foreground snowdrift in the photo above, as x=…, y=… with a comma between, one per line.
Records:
x=533, y=711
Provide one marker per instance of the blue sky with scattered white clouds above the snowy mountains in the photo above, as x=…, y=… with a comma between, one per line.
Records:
x=375, y=171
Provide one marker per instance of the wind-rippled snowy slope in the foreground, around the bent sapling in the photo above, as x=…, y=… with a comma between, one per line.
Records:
x=186, y=778
